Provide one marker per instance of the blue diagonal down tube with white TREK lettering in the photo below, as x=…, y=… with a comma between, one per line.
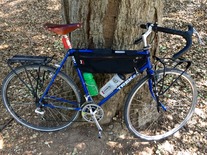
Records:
x=118, y=88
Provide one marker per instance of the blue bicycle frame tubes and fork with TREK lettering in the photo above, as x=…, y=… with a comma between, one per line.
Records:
x=147, y=67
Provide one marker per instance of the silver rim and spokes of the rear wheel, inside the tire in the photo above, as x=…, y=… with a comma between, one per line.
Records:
x=21, y=103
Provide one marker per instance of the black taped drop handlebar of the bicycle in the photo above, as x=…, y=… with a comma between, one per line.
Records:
x=187, y=35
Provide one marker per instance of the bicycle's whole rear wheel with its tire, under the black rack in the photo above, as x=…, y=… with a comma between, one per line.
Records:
x=21, y=102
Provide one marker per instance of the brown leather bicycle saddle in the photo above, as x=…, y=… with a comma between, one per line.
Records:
x=62, y=29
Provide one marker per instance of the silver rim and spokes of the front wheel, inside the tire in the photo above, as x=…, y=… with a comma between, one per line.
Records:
x=151, y=125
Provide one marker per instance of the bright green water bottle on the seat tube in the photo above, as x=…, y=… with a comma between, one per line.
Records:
x=91, y=84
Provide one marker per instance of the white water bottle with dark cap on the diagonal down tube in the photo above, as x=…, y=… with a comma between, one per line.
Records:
x=108, y=88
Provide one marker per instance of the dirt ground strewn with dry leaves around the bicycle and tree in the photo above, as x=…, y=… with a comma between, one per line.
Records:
x=21, y=31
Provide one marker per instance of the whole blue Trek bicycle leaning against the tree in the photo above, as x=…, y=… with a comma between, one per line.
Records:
x=44, y=98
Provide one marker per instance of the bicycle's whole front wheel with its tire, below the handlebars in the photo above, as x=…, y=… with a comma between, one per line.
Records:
x=144, y=120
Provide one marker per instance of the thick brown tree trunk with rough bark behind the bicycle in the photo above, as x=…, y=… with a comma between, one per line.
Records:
x=110, y=24
